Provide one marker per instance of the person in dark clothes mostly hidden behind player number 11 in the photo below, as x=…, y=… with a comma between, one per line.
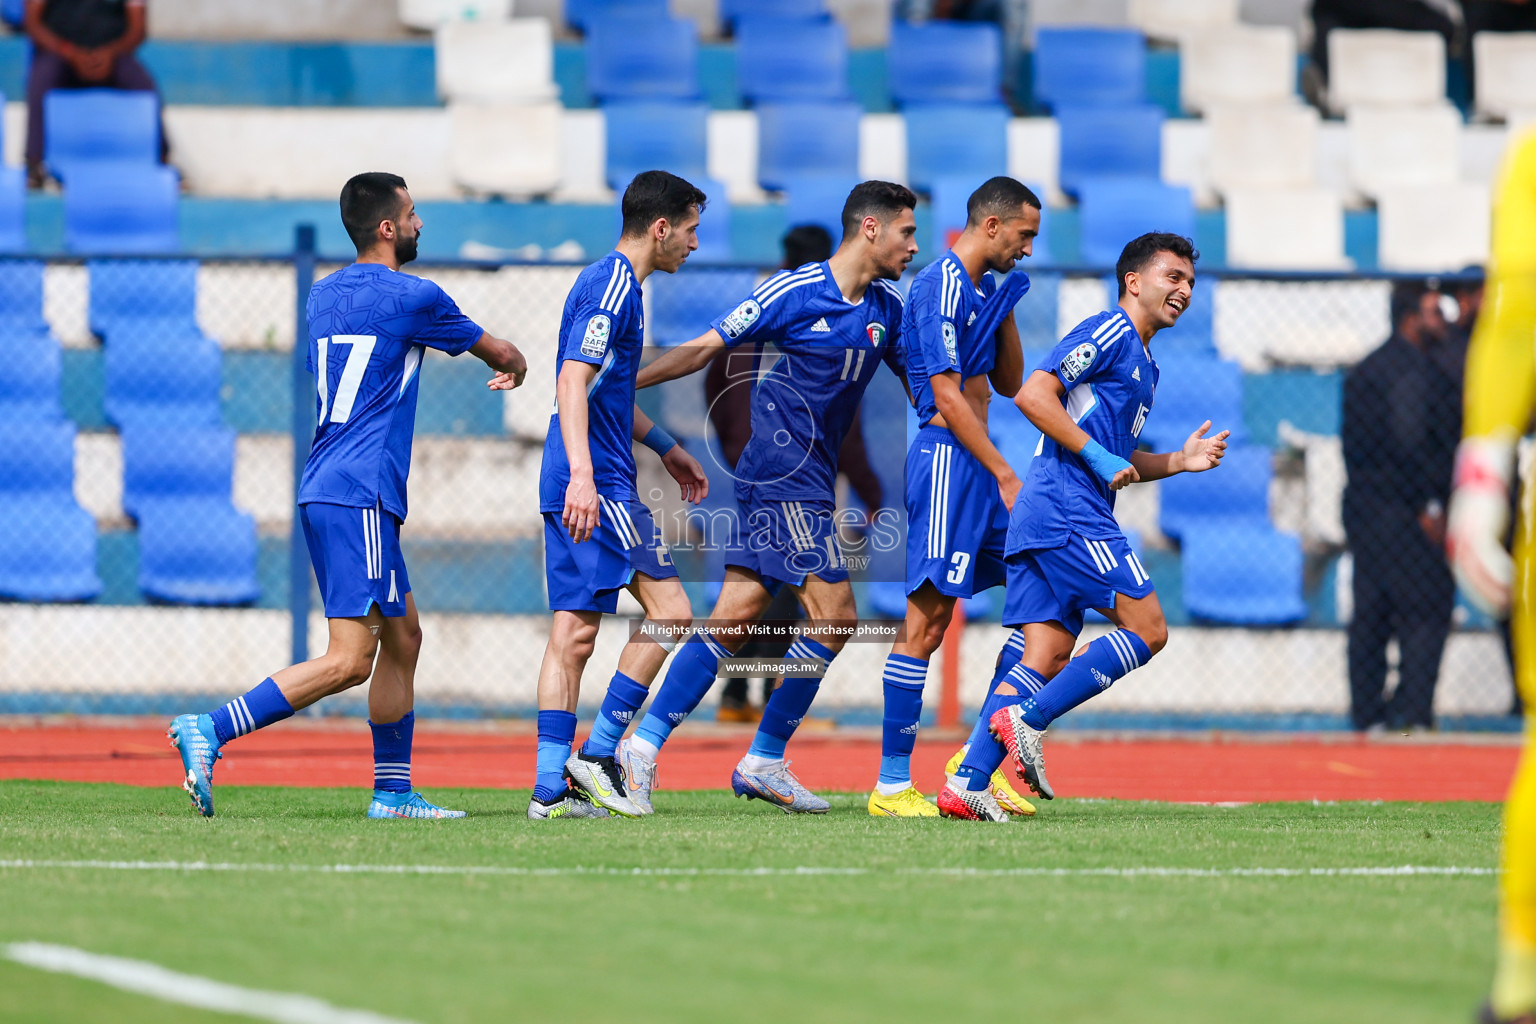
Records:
x=732, y=421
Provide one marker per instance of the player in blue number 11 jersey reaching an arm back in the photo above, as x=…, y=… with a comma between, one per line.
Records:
x=833, y=325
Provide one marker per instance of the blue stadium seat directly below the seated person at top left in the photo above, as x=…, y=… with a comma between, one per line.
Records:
x=93, y=125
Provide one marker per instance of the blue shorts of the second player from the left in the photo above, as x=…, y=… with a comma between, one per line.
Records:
x=589, y=576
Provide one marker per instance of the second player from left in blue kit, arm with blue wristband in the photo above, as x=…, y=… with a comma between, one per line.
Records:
x=598, y=537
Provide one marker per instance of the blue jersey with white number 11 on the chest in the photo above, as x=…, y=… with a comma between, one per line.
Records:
x=806, y=400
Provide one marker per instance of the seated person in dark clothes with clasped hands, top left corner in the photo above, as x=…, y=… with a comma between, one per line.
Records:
x=76, y=45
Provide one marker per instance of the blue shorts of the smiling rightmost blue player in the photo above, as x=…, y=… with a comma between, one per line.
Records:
x=1061, y=584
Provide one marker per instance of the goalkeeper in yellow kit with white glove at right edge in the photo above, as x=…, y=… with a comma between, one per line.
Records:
x=1501, y=397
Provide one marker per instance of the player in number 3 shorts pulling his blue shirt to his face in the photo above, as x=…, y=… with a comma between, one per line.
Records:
x=958, y=335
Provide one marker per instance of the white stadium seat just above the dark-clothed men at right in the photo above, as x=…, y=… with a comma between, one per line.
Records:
x=1434, y=228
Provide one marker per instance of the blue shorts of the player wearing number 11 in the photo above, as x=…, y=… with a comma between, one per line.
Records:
x=786, y=543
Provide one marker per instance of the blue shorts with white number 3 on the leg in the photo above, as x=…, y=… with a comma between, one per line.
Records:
x=956, y=521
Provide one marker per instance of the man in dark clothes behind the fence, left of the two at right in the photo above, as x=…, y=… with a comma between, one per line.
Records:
x=1402, y=424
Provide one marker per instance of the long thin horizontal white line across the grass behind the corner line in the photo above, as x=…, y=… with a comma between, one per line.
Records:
x=756, y=873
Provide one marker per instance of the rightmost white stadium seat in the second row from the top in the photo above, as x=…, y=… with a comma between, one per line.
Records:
x=1403, y=145
